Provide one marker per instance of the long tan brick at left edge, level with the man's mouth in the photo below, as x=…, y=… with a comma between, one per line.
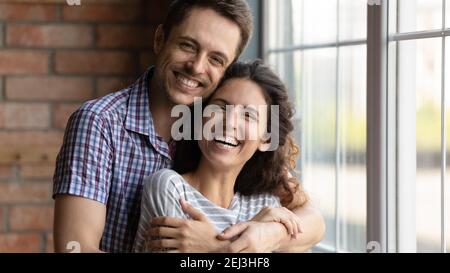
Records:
x=48, y=88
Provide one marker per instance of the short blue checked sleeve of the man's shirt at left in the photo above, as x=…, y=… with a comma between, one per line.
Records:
x=83, y=165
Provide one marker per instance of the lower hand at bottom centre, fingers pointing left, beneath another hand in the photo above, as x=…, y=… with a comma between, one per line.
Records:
x=254, y=237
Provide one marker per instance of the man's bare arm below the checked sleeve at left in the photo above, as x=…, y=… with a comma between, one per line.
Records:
x=80, y=220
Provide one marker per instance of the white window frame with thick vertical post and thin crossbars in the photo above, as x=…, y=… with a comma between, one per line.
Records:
x=391, y=151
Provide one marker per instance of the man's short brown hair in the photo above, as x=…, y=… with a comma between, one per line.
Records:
x=237, y=11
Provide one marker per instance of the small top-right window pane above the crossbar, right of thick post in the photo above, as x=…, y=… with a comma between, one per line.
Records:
x=418, y=15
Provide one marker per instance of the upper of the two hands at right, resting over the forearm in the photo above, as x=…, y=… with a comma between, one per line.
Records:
x=281, y=215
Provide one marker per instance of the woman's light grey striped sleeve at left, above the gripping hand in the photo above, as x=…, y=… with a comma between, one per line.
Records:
x=160, y=197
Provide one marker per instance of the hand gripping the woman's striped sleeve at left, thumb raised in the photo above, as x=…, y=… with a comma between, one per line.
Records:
x=193, y=235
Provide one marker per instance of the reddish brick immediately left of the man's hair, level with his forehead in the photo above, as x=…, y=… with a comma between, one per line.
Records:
x=125, y=36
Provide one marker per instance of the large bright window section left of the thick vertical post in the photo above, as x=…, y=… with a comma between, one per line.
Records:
x=318, y=48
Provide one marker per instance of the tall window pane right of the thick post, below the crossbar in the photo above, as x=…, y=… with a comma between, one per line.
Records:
x=422, y=68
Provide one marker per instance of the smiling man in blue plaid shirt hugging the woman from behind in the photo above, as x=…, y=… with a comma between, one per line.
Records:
x=113, y=143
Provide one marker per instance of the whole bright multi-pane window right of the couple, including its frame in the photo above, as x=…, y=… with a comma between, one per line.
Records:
x=320, y=49
